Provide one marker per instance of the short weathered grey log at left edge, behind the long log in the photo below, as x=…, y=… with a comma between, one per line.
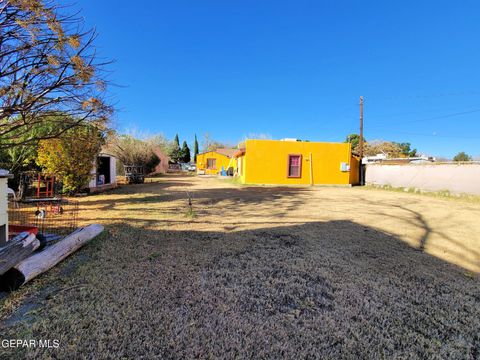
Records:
x=16, y=250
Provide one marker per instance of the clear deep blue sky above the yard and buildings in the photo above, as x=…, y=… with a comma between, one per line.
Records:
x=296, y=69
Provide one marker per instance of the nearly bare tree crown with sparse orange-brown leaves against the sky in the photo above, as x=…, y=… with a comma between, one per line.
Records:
x=48, y=68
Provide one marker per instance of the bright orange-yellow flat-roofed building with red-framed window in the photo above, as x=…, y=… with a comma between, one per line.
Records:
x=293, y=162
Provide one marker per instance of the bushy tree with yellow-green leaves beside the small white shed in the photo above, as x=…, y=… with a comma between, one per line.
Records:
x=71, y=157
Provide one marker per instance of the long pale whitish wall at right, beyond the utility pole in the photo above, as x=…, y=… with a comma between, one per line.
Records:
x=456, y=178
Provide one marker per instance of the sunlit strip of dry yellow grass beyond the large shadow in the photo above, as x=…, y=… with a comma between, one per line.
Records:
x=446, y=228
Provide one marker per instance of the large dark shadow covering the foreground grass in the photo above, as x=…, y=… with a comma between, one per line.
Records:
x=332, y=289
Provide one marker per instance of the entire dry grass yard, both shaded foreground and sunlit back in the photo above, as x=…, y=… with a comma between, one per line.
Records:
x=260, y=272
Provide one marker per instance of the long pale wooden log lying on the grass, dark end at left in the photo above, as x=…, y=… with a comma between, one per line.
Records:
x=40, y=262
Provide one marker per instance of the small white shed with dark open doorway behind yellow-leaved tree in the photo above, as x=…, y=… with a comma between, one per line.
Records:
x=104, y=173
